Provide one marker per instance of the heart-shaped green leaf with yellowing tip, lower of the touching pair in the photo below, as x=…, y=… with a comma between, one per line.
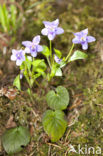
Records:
x=54, y=124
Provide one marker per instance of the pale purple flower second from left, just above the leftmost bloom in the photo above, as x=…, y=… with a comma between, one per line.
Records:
x=33, y=47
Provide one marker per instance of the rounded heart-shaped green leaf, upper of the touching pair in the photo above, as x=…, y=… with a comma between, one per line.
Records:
x=58, y=100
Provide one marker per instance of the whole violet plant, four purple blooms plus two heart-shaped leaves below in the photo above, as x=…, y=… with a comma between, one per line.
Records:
x=31, y=68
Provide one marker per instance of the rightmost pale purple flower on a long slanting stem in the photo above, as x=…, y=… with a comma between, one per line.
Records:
x=82, y=38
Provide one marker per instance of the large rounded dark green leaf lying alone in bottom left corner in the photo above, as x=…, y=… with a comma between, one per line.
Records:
x=15, y=139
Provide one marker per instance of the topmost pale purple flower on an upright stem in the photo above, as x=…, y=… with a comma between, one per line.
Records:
x=51, y=29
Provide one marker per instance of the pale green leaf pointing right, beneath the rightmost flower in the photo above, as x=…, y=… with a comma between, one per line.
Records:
x=78, y=55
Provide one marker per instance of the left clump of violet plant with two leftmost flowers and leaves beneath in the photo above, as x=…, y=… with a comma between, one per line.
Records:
x=30, y=67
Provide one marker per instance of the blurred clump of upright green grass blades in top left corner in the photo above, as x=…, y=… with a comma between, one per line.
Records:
x=9, y=19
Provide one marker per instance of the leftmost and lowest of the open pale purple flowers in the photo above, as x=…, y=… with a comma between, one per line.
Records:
x=18, y=56
